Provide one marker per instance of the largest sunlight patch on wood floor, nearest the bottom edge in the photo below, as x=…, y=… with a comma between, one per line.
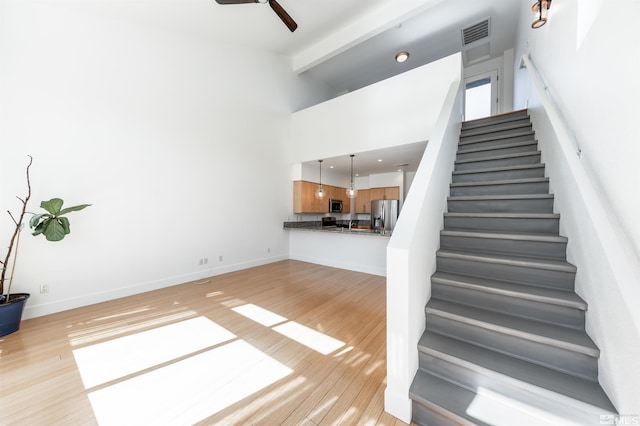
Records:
x=190, y=390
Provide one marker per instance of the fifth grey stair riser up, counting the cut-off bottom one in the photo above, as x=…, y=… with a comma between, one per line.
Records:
x=512, y=273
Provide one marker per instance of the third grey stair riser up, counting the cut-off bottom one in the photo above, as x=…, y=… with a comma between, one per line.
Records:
x=541, y=353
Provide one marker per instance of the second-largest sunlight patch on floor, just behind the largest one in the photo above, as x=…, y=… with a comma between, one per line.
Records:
x=107, y=361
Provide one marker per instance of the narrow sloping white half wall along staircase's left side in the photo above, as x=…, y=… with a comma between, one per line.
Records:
x=411, y=253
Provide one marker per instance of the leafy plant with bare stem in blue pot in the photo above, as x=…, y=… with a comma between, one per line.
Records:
x=54, y=226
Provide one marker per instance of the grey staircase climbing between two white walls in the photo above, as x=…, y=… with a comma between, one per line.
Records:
x=505, y=342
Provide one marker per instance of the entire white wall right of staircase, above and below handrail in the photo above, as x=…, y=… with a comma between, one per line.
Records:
x=590, y=68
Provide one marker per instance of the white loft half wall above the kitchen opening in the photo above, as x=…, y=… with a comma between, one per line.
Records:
x=393, y=112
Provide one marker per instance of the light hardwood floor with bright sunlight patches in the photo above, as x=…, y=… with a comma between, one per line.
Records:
x=288, y=343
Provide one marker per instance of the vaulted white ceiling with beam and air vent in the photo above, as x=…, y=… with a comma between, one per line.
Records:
x=346, y=43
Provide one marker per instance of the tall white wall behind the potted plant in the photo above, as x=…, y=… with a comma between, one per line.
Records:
x=179, y=145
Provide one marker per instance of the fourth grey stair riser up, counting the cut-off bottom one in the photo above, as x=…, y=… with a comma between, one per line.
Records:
x=551, y=313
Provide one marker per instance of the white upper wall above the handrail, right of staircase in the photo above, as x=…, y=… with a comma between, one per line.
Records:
x=588, y=55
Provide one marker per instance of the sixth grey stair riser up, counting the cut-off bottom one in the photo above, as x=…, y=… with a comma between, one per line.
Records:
x=542, y=249
